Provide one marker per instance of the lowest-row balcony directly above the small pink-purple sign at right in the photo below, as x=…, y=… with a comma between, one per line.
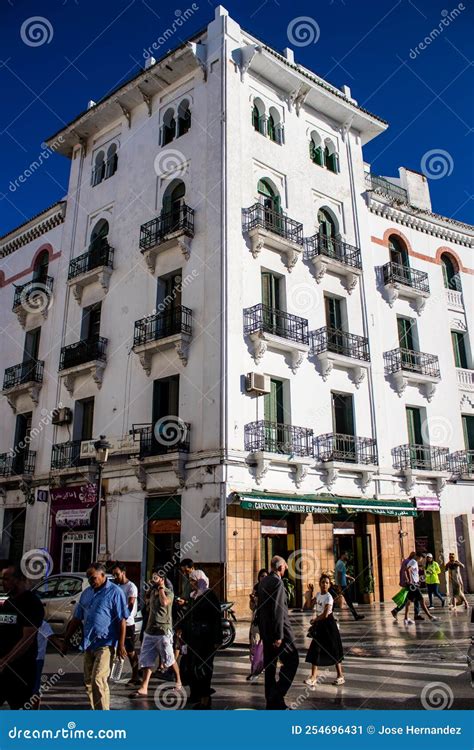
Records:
x=421, y=461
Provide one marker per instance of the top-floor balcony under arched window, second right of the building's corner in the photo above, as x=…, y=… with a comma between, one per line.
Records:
x=332, y=254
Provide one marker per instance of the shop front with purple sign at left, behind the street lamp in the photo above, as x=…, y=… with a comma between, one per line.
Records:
x=73, y=527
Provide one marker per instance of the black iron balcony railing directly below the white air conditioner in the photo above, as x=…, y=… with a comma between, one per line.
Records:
x=274, y=437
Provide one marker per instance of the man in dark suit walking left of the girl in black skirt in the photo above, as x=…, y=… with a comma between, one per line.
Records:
x=277, y=635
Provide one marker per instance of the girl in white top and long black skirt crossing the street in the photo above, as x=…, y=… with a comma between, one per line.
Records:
x=326, y=646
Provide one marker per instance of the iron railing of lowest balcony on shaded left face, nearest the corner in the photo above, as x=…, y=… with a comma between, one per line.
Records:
x=168, y=435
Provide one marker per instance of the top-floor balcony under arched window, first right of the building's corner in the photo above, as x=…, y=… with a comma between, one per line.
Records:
x=275, y=230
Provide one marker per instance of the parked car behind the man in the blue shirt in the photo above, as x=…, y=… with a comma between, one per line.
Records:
x=60, y=594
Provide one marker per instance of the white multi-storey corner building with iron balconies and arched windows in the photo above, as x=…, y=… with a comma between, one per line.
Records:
x=261, y=329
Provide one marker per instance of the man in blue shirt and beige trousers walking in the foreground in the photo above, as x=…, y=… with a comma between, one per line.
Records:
x=102, y=611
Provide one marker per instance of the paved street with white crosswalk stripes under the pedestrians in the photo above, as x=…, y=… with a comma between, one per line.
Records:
x=386, y=666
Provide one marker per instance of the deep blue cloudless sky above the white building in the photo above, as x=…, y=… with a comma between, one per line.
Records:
x=90, y=46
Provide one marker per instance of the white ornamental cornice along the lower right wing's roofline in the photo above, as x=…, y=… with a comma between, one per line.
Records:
x=424, y=221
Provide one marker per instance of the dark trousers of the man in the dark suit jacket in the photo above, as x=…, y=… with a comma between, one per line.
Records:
x=275, y=690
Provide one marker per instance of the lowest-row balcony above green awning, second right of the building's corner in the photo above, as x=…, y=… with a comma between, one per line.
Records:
x=342, y=453
